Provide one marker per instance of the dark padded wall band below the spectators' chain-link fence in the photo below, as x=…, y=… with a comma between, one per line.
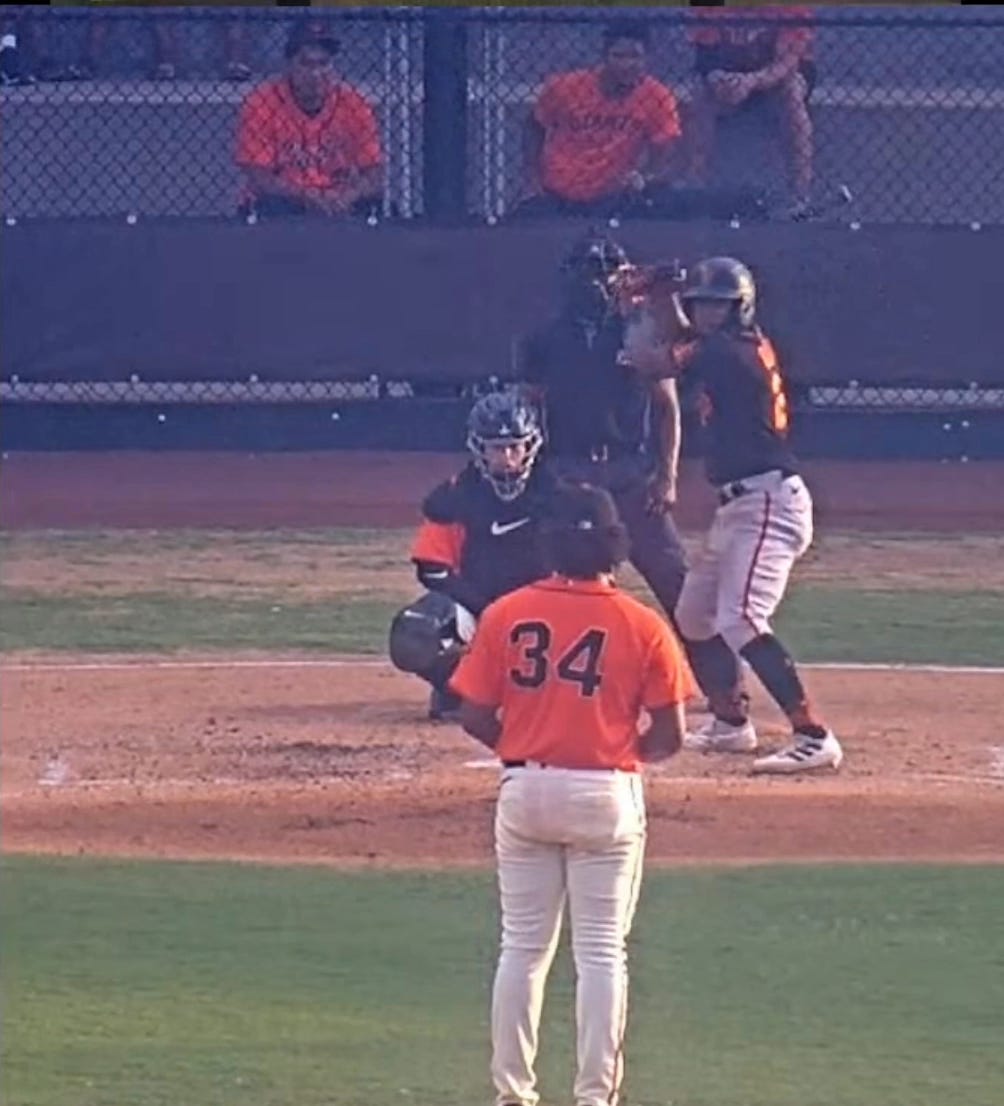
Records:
x=211, y=301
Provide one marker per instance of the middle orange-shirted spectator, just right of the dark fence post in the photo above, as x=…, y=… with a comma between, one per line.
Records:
x=600, y=141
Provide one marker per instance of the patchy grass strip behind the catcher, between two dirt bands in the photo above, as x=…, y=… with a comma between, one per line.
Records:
x=231, y=591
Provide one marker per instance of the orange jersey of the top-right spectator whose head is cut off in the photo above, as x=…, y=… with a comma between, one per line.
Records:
x=744, y=39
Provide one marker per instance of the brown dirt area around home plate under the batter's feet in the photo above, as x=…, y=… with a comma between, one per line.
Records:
x=338, y=765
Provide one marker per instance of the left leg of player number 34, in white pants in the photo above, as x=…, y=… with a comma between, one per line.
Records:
x=532, y=888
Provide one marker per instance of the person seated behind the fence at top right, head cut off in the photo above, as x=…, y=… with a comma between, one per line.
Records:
x=745, y=56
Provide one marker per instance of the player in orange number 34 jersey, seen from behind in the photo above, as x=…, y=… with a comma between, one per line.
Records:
x=555, y=683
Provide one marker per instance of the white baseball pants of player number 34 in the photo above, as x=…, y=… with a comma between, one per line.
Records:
x=576, y=836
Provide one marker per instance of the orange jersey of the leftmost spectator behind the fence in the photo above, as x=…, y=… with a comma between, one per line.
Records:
x=312, y=152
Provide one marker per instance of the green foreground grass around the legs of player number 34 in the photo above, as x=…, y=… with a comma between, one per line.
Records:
x=141, y=985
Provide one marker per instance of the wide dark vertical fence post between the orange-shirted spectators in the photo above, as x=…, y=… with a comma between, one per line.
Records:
x=445, y=81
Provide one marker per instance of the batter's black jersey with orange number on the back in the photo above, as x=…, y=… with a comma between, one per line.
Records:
x=742, y=402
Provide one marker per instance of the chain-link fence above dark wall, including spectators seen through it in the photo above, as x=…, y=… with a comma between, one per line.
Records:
x=880, y=116
